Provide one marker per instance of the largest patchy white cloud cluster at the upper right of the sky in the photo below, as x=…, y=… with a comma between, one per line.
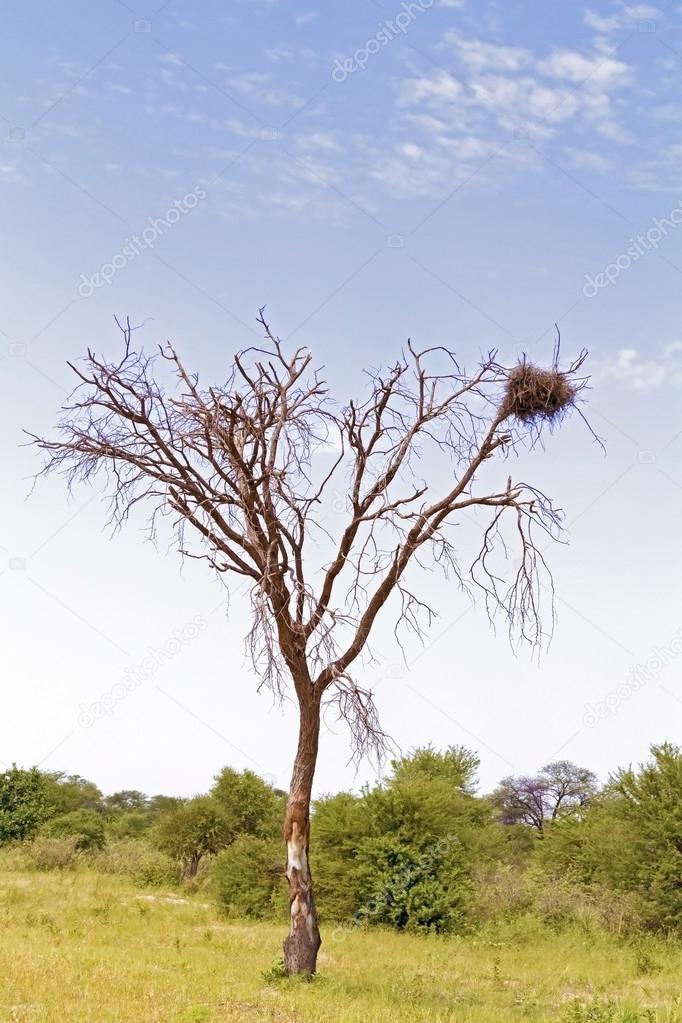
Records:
x=457, y=119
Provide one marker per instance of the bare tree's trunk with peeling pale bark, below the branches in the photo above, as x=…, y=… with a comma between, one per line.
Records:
x=302, y=946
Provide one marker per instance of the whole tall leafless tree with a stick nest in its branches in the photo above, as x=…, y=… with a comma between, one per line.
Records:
x=249, y=469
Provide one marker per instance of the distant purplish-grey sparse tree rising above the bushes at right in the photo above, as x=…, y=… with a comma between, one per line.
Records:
x=560, y=790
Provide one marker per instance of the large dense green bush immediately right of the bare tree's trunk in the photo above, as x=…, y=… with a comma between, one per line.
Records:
x=402, y=855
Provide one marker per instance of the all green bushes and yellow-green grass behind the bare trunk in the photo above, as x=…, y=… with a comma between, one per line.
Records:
x=552, y=899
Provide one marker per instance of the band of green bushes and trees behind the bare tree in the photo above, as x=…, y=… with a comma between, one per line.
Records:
x=421, y=852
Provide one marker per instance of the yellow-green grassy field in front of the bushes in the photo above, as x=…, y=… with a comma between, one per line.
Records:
x=79, y=947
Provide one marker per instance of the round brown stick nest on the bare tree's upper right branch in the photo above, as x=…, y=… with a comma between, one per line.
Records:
x=535, y=395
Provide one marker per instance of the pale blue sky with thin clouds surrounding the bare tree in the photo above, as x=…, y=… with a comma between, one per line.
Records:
x=465, y=179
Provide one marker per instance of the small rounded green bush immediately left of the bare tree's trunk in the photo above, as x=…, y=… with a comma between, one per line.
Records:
x=249, y=878
